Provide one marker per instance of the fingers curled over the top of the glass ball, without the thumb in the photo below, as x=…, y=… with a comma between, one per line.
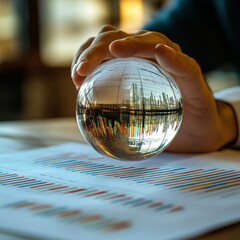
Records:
x=111, y=42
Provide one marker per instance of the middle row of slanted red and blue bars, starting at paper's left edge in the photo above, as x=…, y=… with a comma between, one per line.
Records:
x=13, y=180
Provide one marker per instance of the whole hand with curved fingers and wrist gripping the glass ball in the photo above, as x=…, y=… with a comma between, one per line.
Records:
x=207, y=124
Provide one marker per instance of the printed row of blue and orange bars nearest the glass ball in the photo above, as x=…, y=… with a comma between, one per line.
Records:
x=182, y=179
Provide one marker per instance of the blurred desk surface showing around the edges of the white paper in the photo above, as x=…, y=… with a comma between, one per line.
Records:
x=16, y=136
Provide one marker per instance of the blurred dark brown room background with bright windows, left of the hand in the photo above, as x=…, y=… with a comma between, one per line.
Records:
x=37, y=41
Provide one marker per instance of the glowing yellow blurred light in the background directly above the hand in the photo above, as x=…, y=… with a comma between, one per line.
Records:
x=131, y=14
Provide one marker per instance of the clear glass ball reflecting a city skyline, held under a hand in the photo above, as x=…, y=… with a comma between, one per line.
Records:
x=129, y=109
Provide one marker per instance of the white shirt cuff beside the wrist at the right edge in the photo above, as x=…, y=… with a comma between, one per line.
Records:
x=232, y=97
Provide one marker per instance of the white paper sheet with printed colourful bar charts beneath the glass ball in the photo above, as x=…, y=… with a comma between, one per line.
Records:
x=71, y=192
